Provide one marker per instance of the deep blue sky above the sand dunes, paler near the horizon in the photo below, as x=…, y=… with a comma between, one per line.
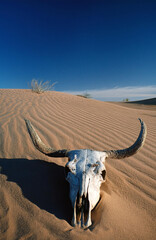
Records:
x=83, y=45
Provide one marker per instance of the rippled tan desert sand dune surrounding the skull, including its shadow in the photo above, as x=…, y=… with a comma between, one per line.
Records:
x=34, y=201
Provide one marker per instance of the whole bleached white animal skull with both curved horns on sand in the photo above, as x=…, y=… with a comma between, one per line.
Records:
x=85, y=172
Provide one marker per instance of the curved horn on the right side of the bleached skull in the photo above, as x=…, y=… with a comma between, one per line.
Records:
x=127, y=152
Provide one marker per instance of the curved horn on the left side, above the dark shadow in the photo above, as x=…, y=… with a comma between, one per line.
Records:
x=41, y=146
